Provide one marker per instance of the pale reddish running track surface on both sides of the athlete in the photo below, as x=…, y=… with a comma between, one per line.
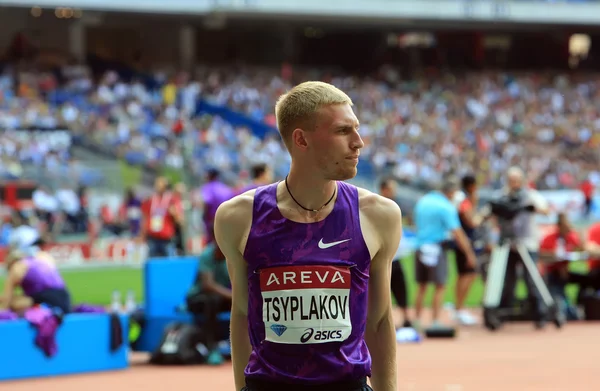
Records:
x=516, y=358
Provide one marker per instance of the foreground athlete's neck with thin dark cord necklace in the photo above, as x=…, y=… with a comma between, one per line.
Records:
x=310, y=191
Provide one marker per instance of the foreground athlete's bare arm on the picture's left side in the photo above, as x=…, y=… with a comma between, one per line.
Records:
x=232, y=224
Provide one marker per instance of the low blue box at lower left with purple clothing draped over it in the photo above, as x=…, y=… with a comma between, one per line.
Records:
x=83, y=342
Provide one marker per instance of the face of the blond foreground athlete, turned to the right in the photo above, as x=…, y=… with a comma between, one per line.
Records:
x=335, y=144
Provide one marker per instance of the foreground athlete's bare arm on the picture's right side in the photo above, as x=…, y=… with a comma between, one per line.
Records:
x=385, y=219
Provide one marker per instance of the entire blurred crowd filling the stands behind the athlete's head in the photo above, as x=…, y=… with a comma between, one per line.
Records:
x=418, y=129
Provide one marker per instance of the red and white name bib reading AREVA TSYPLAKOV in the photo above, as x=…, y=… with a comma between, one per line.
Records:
x=306, y=304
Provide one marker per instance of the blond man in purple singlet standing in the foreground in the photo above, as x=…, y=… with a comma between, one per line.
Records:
x=310, y=260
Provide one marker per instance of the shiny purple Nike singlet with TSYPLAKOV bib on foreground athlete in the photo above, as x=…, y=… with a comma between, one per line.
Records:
x=307, y=293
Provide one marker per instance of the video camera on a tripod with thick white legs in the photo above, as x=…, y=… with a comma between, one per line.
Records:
x=509, y=211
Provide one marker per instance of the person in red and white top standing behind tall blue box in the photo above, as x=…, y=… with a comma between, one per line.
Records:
x=160, y=214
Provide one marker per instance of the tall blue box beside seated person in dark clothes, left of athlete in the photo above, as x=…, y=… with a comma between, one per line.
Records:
x=166, y=282
